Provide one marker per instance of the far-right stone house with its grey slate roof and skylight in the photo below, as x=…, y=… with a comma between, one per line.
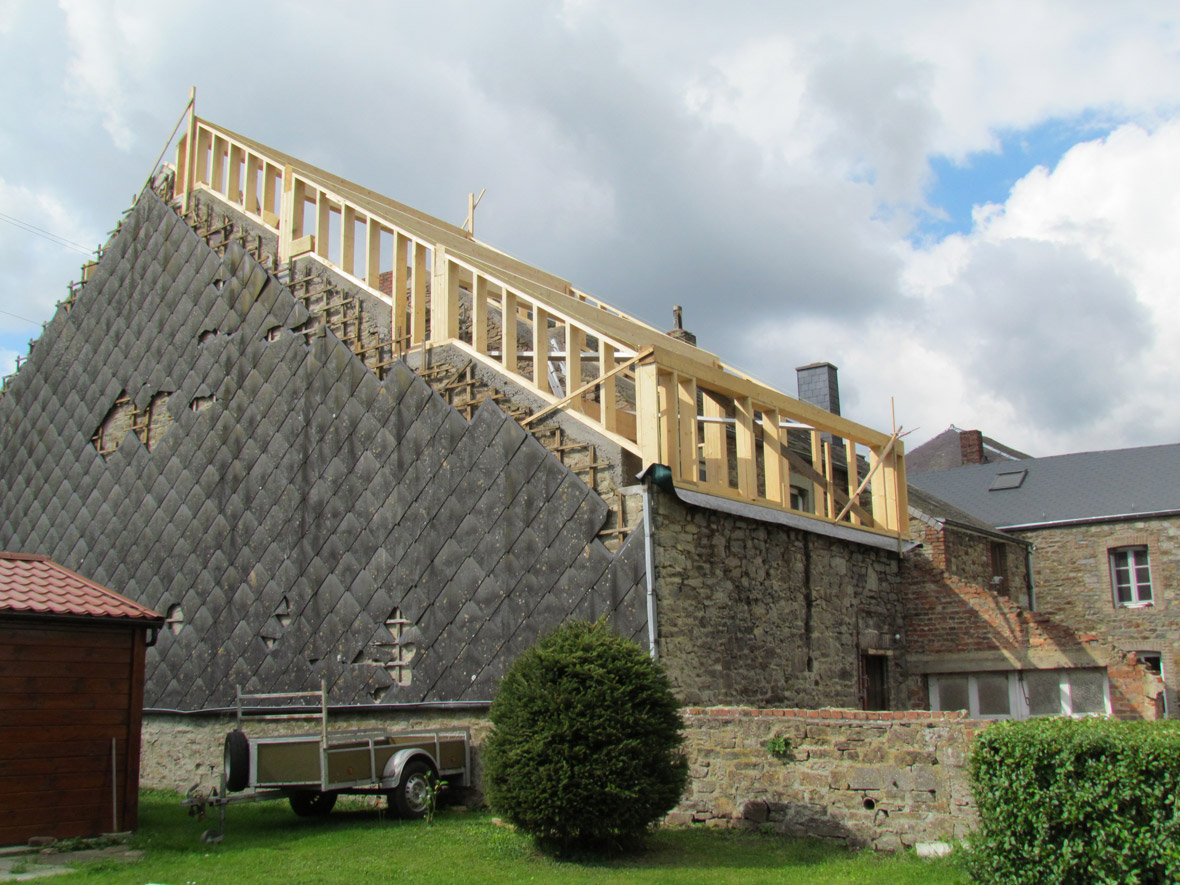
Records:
x=1105, y=534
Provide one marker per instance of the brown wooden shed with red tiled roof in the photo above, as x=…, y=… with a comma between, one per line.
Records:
x=71, y=703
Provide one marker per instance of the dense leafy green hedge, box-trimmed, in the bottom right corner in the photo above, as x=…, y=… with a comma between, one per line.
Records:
x=1077, y=802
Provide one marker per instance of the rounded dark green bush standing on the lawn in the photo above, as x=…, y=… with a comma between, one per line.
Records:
x=586, y=748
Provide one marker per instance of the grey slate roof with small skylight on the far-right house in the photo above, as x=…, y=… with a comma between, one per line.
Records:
x=1067, y=488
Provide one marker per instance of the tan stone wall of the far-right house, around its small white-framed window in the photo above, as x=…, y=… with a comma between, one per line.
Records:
x=1072, y=578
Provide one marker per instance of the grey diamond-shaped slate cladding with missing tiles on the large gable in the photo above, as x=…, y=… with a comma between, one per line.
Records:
x=299, y=520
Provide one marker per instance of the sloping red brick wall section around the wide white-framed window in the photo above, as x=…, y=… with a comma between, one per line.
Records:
x=946, y=615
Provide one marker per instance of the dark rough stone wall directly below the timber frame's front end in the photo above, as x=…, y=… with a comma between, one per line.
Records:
x=761, y=614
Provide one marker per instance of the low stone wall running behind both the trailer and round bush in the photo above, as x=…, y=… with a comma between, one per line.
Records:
x=870, y=779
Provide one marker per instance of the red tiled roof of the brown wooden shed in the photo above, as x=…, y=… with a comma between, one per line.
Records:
x=38, y=586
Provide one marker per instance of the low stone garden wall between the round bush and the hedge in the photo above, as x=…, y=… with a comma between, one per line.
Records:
x=871, y=779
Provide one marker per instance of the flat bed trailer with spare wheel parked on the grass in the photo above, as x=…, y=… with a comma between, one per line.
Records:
x=312, y=770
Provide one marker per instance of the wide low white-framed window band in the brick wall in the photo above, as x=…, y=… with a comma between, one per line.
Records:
x=1021, y=694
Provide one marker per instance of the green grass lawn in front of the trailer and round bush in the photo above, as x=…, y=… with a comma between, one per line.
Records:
x=266, y=843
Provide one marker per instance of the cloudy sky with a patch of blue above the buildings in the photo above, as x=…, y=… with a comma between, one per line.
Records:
x=973, y=209
